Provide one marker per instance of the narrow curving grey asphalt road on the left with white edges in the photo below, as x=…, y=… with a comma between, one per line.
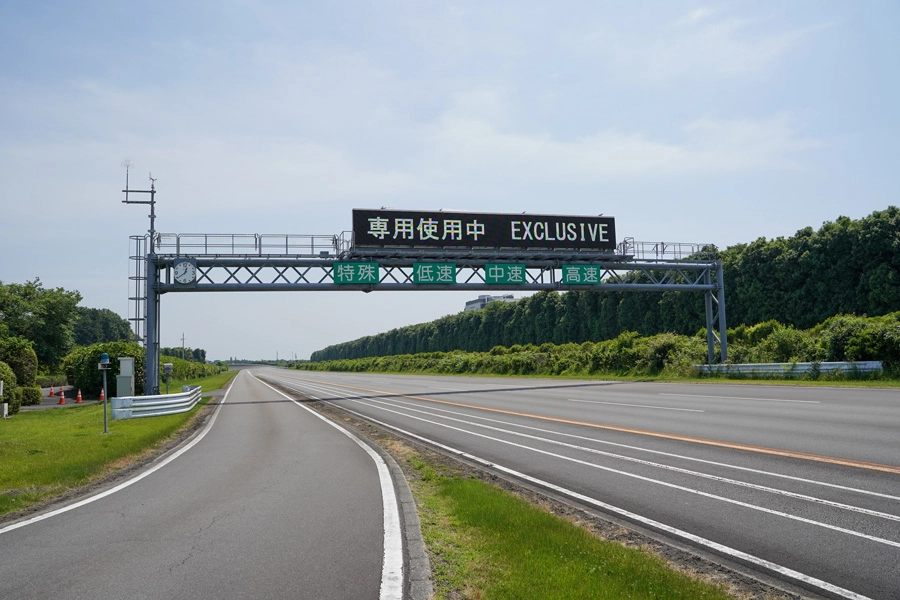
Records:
x=271, y=502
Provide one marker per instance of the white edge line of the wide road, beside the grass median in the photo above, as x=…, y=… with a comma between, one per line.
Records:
x=760, y=562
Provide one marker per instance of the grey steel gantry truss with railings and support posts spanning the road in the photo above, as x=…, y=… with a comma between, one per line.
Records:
x=276, y=262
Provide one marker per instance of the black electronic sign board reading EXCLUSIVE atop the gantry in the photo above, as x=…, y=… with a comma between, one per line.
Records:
x=439, y=229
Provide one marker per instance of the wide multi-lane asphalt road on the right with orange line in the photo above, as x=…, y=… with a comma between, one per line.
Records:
x=799, y=483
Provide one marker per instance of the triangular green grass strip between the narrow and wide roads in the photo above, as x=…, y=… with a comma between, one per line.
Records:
x=486, y=543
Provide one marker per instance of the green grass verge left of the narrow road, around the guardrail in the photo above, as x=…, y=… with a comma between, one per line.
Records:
x=46, y=453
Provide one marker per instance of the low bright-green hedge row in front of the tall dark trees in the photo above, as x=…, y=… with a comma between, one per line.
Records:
x=837, y=339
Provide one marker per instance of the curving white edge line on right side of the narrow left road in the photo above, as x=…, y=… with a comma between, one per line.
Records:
x=392, y=565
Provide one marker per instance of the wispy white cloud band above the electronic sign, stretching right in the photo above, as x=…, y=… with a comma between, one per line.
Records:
x=708, y=147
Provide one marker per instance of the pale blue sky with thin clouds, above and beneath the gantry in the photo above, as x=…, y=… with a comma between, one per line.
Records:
x=687, y=121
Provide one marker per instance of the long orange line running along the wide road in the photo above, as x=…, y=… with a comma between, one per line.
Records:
x=846, y=462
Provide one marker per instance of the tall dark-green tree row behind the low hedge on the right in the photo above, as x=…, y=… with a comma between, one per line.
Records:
x=846, y=267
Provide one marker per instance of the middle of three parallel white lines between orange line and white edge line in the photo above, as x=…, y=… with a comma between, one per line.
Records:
x=746, y=484
